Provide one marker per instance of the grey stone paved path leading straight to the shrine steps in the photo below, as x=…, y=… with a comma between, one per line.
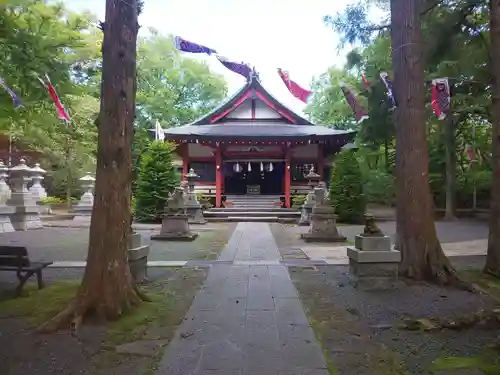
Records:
x=247, y=319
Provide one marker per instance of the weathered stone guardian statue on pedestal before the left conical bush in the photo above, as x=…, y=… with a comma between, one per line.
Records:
x=174, y=225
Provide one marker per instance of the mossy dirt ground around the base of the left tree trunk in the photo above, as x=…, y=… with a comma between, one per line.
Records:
x=98, y=349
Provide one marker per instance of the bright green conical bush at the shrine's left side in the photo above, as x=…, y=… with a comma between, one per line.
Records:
x=157, y=178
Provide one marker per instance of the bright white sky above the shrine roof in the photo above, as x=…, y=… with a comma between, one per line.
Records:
x=268, y=34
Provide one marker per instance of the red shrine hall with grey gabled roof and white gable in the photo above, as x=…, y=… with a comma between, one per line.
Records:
x=252, y=144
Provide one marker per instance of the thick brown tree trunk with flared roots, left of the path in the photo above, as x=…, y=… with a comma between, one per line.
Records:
x=107, y=288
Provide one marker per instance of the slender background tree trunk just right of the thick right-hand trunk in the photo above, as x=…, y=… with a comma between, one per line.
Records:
x=451, y=163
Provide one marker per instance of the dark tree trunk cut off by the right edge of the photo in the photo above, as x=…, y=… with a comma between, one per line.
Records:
x=493, y=255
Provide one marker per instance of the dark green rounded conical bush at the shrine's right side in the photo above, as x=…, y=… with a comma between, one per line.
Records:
x=346, y=188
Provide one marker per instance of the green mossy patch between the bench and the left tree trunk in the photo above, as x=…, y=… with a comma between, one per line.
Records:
x=37, y=306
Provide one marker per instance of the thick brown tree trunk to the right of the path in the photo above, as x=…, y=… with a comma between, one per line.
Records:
x=422, y=255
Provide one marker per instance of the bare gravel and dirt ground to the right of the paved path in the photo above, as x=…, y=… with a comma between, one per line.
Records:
x=358, y=329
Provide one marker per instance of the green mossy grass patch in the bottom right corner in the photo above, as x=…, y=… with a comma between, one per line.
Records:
x=487, y=363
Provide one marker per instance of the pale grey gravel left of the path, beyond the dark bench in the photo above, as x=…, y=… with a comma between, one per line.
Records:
x=71, y=244
